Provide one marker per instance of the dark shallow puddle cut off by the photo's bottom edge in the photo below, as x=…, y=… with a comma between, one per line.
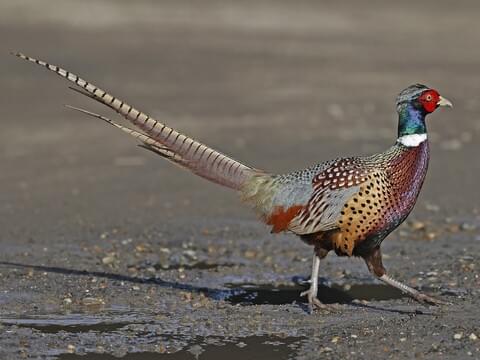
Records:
x=255, y=347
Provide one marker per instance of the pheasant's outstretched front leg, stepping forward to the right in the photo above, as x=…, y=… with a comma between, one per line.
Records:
x=374, y=263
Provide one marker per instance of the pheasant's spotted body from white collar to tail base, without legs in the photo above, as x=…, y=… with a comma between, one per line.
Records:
x=363, y=198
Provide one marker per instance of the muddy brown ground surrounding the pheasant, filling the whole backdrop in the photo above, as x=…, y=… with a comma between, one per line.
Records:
x=108, y=251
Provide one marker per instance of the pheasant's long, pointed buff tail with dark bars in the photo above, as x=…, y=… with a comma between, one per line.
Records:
x=163, y=140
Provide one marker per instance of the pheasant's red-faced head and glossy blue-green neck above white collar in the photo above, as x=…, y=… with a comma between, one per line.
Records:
x=413, y=104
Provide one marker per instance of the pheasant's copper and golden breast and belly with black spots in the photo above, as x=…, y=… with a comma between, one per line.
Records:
x=382, y=203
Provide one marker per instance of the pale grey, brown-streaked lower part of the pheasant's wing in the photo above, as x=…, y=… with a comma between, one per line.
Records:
x=322, y=211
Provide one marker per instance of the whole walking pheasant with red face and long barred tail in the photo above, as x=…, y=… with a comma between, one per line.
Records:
x=348, y=205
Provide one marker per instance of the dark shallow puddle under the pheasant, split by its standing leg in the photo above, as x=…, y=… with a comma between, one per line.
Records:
x=250, y=294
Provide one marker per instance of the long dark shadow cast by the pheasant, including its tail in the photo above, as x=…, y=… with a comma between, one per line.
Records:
x=235, y=294
